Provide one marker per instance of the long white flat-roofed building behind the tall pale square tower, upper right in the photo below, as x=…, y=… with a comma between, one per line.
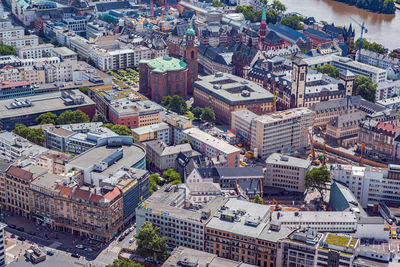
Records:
x=377, y=75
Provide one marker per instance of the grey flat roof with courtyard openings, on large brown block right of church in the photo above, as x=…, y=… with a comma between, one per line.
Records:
x=233, y=89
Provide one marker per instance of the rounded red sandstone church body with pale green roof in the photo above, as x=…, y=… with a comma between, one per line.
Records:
x=164, y=76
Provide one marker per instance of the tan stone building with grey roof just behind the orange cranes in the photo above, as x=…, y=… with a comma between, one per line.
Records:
x=344, y=129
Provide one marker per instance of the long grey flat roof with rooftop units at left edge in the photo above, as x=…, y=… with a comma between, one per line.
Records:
x=41, y=104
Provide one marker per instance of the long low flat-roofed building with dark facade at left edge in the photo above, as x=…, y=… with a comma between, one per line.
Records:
x=26, y=110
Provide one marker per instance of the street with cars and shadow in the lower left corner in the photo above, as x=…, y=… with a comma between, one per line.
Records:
x=62, y=244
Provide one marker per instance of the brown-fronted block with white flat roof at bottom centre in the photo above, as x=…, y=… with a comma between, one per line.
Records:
x=241, y=231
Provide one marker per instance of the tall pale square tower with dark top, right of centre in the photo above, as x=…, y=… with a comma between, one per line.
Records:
x=299, y=79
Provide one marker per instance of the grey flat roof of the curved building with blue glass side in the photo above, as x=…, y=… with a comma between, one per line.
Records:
x=131, y=155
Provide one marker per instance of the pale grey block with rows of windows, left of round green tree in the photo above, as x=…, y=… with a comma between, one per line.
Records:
x=286, y=172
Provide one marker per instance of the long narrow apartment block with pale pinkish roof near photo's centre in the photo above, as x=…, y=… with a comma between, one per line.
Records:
x=213, y=147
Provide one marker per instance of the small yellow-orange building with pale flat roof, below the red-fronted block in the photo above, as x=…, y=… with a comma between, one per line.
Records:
x=159, y=131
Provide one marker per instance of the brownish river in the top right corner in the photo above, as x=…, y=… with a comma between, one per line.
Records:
x=383, y=29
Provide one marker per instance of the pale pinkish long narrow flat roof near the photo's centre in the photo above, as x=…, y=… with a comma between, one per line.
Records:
x=210, y=140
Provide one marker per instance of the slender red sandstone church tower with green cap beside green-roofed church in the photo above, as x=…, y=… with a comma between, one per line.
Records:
x=191, y=59
